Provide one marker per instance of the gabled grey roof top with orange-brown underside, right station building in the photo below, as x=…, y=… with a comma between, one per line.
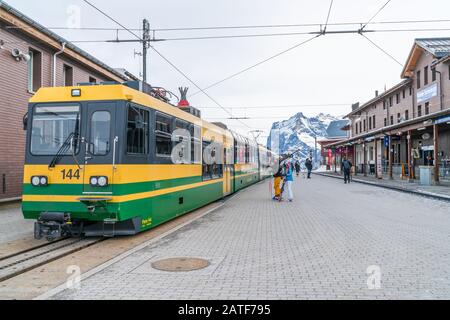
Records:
x=438, y=47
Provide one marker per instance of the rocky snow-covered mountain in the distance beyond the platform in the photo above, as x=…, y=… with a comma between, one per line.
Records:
x=298, y=133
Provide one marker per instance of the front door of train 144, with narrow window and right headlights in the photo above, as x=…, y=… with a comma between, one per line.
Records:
x=101, y=149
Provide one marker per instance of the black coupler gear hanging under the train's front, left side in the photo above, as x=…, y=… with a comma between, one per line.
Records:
x=52, y=225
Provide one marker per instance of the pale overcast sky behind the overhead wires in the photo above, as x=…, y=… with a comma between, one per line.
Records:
x=332, y=69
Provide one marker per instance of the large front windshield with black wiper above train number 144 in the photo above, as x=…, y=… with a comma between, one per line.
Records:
x=52, y=126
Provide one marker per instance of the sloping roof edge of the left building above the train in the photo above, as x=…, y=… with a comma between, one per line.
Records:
x=60, y=39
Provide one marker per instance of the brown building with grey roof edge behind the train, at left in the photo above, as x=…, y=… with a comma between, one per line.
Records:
x=32, y=56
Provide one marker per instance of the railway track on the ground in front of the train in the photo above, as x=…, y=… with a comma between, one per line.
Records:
x=23, y=261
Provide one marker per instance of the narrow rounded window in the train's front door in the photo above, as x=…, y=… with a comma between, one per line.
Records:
x=100, y=133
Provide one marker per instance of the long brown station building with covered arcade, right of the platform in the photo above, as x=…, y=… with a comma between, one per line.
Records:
x=406, y=128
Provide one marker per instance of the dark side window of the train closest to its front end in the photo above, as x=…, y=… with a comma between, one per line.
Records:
x=137, y=130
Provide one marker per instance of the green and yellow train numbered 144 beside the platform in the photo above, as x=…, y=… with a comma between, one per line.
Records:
x=113, y=159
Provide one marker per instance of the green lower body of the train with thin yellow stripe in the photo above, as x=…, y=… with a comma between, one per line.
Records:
x=98, y=216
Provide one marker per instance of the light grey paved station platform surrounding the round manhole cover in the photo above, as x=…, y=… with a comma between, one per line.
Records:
x=334, y=241
